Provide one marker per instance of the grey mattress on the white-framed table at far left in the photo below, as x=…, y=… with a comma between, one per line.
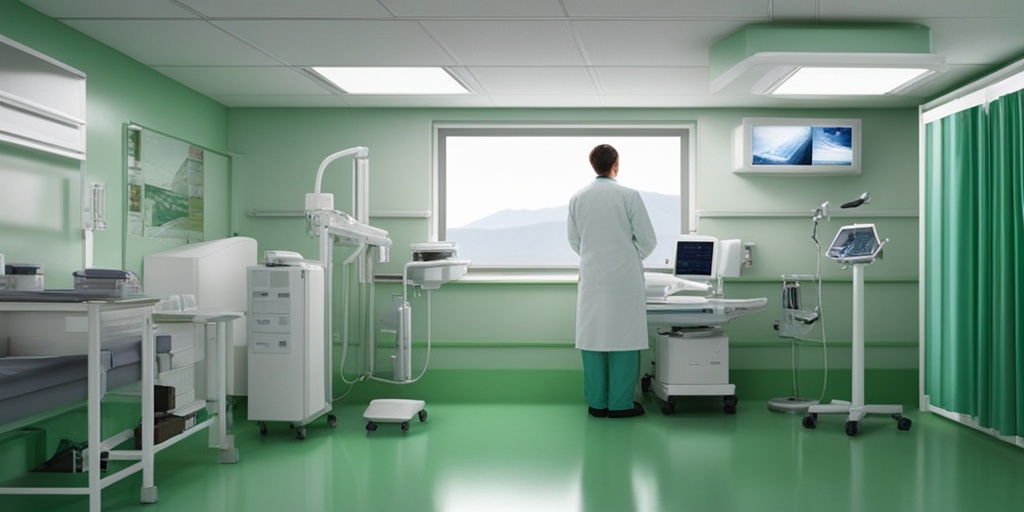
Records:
x=32, y=386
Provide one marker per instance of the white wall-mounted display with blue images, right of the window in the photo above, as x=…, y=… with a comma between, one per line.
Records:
x=797, y=147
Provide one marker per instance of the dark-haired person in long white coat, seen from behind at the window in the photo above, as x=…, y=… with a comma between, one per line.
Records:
x=610, y=229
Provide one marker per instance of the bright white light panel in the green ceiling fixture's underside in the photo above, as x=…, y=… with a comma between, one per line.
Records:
x=847, y=81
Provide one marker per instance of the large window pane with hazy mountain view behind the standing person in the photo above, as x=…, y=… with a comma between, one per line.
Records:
x=504, y=192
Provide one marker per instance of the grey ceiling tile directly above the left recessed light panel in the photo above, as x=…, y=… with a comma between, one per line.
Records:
x=317, y=42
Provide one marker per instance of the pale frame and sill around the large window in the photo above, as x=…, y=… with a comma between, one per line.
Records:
x=685, y=131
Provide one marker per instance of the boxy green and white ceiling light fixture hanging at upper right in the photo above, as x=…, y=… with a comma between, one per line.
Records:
x=821, y=61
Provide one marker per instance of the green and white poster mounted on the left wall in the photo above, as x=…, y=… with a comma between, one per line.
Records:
x=165, y=187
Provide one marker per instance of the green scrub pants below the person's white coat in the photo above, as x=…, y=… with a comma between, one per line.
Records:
x=610, y=379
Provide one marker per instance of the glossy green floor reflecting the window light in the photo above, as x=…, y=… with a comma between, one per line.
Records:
x=478, y=457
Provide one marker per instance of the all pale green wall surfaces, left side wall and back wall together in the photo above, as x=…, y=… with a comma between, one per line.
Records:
x=481, y=327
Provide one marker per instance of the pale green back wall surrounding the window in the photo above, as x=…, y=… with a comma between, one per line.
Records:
x=516, y=326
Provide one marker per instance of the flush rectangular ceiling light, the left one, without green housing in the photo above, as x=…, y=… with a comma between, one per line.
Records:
x=375, y=80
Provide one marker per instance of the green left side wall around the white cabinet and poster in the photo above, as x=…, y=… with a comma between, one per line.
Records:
x=118, y=91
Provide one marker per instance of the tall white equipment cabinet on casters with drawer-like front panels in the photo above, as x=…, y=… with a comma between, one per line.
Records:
x=287, y=369
